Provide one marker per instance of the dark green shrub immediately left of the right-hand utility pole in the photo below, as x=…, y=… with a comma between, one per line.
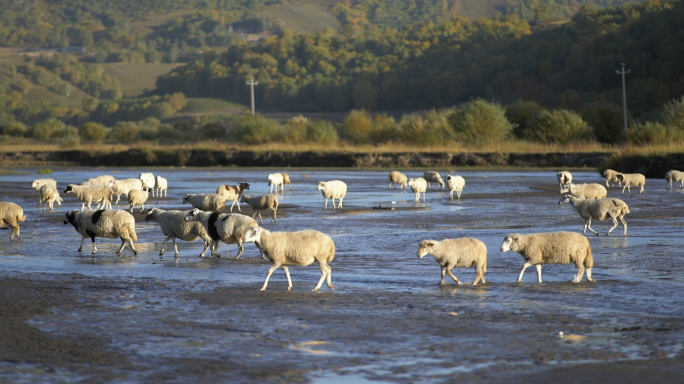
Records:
x=606, y=120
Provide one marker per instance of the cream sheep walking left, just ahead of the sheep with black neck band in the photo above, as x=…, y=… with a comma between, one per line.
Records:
x=174, y=226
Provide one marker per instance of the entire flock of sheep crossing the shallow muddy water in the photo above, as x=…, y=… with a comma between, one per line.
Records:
x=206, y=221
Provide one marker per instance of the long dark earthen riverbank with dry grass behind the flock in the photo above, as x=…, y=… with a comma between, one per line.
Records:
x=200, y=158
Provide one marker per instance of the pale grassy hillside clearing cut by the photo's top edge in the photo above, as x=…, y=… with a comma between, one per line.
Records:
x=310, y=17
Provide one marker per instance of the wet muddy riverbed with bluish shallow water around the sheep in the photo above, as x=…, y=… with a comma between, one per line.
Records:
x=71, y=317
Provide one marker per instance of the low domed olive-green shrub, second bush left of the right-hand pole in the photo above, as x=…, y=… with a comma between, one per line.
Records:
x=558, y=126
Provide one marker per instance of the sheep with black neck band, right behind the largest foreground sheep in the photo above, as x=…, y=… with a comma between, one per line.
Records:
x=227, y=227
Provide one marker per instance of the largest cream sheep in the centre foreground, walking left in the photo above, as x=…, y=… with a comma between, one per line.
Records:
x=295, y=248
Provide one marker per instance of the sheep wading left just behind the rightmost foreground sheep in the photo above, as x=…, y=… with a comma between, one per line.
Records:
x=599, y=209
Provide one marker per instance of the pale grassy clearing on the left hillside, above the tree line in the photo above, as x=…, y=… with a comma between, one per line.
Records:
x=137, y=77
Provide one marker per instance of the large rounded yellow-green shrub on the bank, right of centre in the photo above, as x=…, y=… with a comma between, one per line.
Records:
x=480, y=122
